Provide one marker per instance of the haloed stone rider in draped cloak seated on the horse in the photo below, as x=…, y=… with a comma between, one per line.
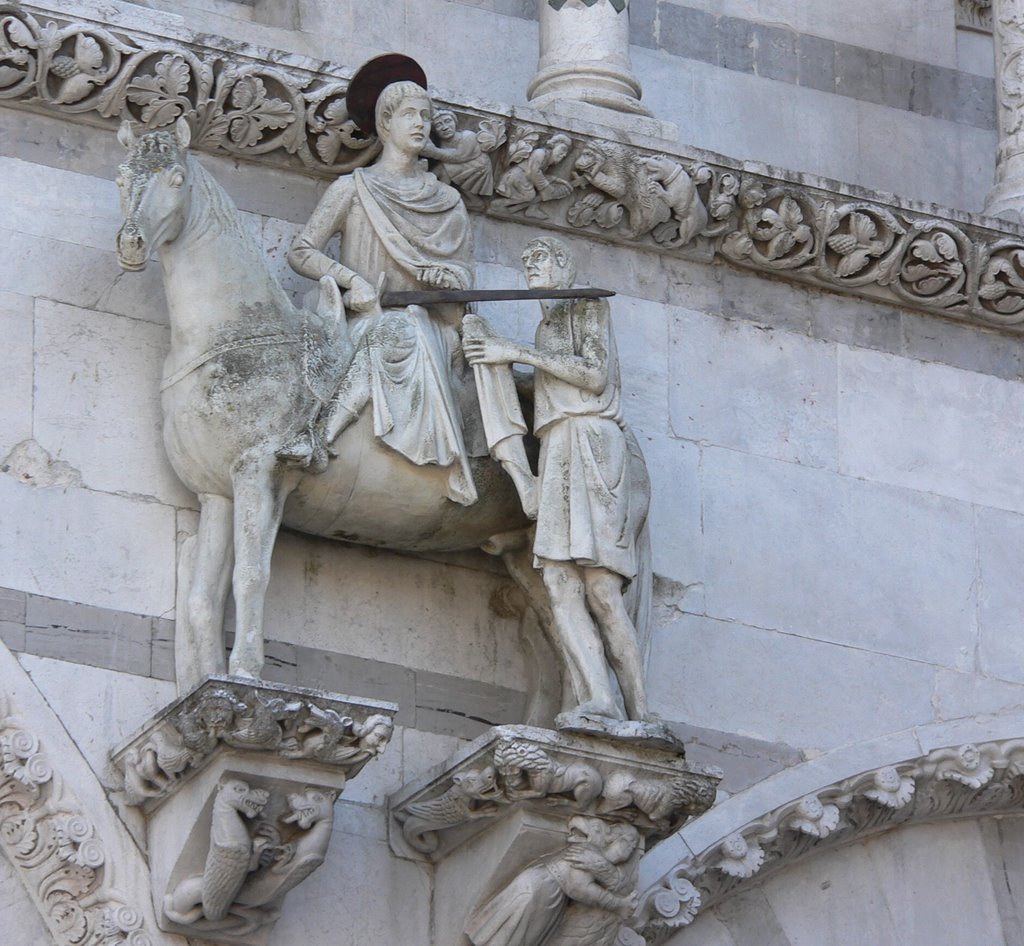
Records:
x=401, y=229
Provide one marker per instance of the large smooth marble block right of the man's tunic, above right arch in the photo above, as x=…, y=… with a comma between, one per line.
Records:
x=808, y=553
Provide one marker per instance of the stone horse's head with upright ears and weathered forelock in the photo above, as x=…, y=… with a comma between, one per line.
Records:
x=154, y=194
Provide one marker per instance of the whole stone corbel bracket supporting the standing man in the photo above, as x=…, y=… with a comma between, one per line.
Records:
x=503, y=813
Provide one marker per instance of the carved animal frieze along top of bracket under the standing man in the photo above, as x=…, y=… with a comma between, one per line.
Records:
x=653, y=789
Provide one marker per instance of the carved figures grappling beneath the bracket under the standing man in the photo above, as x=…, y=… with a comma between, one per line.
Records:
x=595, y=873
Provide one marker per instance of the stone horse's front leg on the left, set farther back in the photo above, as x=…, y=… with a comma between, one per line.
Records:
x=204, y=571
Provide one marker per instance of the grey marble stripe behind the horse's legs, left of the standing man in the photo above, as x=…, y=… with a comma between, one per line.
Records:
x=145, y=647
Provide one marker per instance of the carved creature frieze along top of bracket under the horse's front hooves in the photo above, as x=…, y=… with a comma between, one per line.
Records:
x=287, y=722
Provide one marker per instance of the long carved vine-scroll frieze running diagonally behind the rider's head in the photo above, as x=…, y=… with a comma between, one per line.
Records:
x=289, y=112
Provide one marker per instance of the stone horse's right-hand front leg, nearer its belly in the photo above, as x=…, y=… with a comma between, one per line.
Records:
x=260, y=502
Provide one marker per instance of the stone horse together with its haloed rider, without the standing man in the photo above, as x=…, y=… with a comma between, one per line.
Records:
x=258, y=392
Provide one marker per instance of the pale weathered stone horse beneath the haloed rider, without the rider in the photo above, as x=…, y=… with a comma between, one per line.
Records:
x=243, y=379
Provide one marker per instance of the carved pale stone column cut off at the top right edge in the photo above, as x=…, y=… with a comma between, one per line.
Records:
x=1007, y=198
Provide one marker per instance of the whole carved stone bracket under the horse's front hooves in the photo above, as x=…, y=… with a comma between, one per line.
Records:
x=238, y=783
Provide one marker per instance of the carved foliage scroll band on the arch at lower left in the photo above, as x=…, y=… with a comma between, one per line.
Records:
x=55, y=849
